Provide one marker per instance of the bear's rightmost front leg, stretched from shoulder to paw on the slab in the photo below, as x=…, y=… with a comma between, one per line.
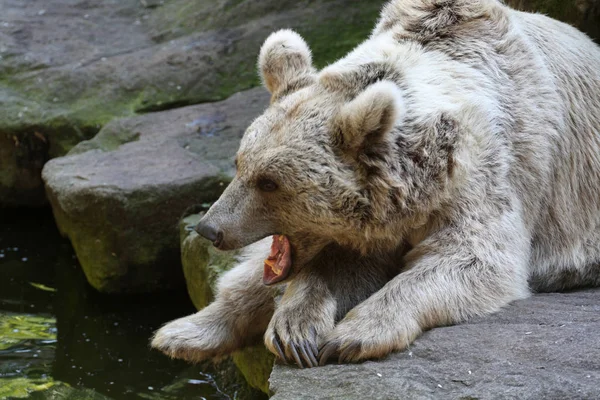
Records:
x=473, y=267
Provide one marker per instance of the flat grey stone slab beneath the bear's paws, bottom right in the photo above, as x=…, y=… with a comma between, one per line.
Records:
x=545, y=347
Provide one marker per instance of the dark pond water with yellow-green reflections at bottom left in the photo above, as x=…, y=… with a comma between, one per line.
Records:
x=61, y=339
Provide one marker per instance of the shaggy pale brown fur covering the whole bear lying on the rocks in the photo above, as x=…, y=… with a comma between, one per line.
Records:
x=447, y=166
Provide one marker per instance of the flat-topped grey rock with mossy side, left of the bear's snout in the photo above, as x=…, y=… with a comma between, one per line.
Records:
x=119, y=197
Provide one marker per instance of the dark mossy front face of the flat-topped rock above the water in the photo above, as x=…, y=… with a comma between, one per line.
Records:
x=110, y=266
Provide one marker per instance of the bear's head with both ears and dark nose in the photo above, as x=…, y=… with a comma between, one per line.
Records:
x=314, y=167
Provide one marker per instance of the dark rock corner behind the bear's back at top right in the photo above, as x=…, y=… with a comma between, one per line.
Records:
x=583, y=14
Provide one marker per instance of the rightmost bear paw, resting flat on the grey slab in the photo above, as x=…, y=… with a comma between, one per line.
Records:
x=366, y=333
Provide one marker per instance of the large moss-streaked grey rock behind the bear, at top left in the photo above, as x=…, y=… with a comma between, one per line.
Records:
x=69, y=67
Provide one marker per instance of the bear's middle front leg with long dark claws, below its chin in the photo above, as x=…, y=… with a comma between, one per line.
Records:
x=320, y=295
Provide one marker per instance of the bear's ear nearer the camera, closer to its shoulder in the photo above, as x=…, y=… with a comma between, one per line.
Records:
x=368, y=117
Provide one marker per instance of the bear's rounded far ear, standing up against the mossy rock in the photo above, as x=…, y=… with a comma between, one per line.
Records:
x=285, y=63
